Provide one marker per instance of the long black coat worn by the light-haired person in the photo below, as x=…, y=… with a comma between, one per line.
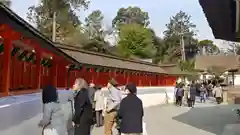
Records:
x=83, y=108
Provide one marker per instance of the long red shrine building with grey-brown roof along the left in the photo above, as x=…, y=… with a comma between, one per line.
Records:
x=28, y=61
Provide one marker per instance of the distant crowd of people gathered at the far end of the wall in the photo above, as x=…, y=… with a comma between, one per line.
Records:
x=187, y=93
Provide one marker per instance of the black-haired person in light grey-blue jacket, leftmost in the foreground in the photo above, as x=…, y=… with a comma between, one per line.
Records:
x=53, y=122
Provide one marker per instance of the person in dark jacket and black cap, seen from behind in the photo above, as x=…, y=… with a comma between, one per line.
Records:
x=131, y=112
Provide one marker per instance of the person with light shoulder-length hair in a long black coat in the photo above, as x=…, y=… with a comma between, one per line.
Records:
x=82, y=119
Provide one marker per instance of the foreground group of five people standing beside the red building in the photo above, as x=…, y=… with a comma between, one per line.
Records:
x=88, y=109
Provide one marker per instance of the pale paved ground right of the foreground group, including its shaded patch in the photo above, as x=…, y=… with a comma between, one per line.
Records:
x=204, y=119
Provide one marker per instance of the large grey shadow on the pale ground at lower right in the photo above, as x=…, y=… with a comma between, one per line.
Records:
x=211, y=119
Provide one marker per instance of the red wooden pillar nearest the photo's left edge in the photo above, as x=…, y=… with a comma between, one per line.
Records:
x=6, y=66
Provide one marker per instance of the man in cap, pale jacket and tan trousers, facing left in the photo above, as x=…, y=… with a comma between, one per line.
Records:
x=112, y=106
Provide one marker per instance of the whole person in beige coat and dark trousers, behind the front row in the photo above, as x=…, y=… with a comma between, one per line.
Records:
x=99, y=105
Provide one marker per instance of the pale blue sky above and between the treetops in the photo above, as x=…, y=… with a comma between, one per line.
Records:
x=159, y=11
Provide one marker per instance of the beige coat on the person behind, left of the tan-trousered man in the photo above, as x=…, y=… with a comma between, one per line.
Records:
x=99, y=100
